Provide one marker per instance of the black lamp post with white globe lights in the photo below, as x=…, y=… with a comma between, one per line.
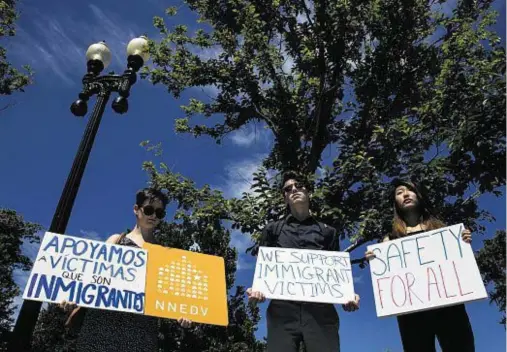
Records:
x=98, y=57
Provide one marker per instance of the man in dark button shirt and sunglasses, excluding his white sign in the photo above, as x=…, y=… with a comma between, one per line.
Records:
x=291, y=323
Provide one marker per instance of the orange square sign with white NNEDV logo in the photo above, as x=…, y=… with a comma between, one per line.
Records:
x=186, y=284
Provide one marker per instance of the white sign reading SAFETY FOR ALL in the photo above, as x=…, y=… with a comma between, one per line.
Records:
x=425, y=271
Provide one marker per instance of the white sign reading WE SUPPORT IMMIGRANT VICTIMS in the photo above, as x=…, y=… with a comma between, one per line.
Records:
x=304, y=275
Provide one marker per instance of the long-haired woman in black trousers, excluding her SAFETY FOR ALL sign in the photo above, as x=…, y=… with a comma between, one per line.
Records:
x=413, y=214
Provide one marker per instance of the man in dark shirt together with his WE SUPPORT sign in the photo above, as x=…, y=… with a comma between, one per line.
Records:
x=299, y=319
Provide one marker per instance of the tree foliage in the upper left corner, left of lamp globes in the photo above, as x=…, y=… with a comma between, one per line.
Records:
x=11, y=79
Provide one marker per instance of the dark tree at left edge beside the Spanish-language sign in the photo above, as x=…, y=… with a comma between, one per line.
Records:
x=14, y=231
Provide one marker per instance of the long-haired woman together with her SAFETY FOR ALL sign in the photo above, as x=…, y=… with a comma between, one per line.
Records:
x=425, y=265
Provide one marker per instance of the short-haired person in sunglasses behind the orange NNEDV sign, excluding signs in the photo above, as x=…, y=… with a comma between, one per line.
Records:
x=104, y=330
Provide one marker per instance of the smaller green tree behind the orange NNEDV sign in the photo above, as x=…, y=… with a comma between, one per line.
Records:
x=198, y=225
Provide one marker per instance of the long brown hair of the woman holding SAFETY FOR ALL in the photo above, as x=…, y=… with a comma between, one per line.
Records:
x=427, y=218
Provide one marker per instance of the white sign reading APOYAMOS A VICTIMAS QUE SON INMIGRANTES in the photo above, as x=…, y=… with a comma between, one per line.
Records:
x=89, y=273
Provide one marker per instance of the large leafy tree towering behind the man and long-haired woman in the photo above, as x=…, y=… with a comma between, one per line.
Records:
x=395, y=88
